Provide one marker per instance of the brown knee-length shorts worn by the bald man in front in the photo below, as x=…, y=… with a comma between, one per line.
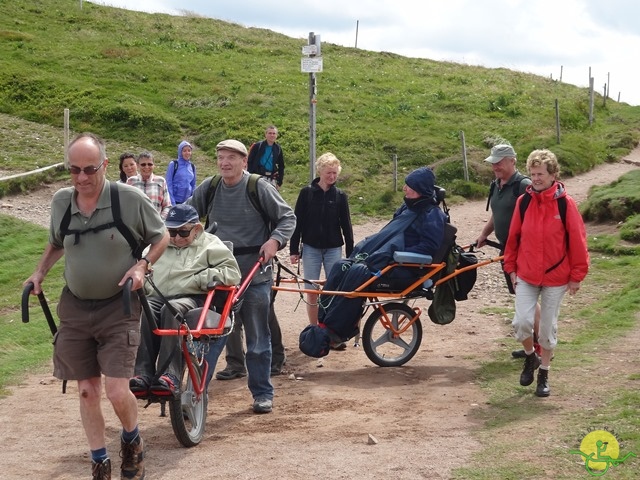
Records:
x=95, y=337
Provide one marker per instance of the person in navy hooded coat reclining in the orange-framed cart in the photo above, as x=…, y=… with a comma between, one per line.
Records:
x=418, y=226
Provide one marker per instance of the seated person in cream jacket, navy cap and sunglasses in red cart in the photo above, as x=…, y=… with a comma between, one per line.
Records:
x=193, y=259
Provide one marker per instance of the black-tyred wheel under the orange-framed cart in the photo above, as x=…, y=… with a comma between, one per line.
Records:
x=381, y=345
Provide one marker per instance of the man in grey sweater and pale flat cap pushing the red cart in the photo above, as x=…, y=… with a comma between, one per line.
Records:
x=240, y=222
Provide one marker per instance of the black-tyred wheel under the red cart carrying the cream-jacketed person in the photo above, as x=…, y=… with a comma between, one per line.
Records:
x=188, y=411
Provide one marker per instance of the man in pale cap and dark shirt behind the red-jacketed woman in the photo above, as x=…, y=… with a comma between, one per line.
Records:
x=505, y=189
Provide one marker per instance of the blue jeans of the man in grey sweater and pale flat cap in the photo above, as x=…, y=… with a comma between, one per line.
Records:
x=254, y=317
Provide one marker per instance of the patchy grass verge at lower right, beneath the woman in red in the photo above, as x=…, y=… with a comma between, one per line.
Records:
x=524, y=437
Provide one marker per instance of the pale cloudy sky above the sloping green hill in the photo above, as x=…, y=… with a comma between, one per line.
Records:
x=551, y=38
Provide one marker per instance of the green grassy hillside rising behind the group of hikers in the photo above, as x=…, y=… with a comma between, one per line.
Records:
x=149, y=80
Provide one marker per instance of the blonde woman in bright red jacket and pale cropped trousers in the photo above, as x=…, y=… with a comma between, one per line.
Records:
x=545, y=256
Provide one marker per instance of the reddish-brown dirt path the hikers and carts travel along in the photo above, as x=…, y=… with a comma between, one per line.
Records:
x=421, y=414
